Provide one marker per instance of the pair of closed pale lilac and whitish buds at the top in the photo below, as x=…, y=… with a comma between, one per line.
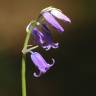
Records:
x=51, y=13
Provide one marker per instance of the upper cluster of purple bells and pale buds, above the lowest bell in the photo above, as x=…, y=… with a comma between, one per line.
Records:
x=43, y=38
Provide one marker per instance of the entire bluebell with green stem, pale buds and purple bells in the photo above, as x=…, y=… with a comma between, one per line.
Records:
x=42, y=38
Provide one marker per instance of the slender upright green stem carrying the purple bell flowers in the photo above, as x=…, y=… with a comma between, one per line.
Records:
x=23, y=72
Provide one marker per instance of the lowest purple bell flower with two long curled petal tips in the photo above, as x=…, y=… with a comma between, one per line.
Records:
x=40, y=63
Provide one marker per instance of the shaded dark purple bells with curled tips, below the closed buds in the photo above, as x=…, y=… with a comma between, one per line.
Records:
x=44, y=38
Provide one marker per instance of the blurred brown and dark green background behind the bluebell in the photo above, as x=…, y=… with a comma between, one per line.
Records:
x=74, y=72
